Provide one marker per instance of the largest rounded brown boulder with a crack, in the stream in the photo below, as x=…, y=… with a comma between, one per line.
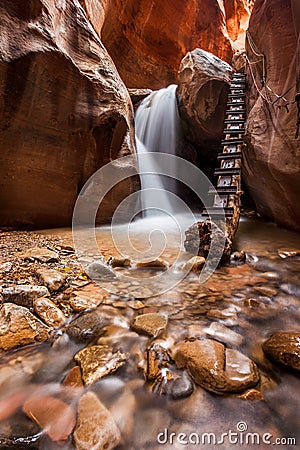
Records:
x=216, y=368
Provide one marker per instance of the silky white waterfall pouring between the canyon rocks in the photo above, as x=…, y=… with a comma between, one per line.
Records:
x=157, y=130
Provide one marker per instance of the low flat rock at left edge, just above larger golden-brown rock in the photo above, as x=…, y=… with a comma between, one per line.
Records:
x=24, y=294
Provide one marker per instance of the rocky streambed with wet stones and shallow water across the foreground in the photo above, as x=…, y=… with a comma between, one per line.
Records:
x=84, y=368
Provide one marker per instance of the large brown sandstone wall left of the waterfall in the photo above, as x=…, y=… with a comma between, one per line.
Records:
x=64, y=111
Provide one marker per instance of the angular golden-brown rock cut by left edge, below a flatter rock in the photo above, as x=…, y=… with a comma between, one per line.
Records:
x=19, y=327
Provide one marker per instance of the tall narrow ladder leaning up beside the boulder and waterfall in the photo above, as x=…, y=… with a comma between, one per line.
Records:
x=229, y=172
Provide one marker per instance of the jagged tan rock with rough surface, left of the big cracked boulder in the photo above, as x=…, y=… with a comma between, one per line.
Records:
x=98, y=361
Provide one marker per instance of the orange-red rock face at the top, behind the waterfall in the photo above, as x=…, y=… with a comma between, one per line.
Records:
x=148, y=39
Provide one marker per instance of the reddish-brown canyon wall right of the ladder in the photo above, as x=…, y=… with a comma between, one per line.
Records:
x=271, y=164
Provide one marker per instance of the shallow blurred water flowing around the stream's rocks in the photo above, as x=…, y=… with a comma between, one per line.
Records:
x=191, y=307
